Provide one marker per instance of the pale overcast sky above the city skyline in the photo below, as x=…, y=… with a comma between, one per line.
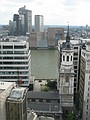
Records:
x=55, y=12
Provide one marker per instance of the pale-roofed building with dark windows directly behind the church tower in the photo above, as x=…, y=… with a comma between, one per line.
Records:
x=77, y=45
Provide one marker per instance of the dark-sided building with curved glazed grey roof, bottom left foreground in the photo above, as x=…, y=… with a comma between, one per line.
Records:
x=16, y=104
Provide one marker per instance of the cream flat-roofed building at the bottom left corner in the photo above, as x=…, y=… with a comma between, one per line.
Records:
x=5, y=89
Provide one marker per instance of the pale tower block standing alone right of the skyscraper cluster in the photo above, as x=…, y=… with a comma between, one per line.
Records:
x=39, y=23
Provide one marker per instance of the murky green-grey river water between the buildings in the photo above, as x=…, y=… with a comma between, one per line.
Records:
x=44, y=64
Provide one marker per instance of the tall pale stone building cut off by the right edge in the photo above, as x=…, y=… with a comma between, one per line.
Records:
x=84, y=86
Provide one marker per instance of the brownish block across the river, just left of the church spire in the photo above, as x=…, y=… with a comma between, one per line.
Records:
x=54, y=34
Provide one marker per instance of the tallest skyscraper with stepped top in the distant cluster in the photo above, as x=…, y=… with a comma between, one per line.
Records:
x=25, y=19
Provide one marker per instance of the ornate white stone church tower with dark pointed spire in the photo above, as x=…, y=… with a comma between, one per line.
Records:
x=66, y=75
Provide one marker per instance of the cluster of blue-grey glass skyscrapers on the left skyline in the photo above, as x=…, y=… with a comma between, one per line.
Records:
x=22, y=23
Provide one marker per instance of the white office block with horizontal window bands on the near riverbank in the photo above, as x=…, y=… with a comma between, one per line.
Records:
x=15, y=60
